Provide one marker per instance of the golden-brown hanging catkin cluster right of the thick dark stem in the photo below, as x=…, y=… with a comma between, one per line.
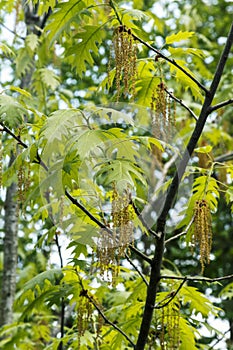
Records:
x=202, y=231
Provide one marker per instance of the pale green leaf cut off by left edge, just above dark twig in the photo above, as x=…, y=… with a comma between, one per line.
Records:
x=11, y=111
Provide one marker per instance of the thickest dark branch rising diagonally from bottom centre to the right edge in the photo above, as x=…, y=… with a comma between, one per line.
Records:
x=172, y=191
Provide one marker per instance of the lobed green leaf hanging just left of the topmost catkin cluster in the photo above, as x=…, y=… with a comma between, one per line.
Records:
x=88, y=42
